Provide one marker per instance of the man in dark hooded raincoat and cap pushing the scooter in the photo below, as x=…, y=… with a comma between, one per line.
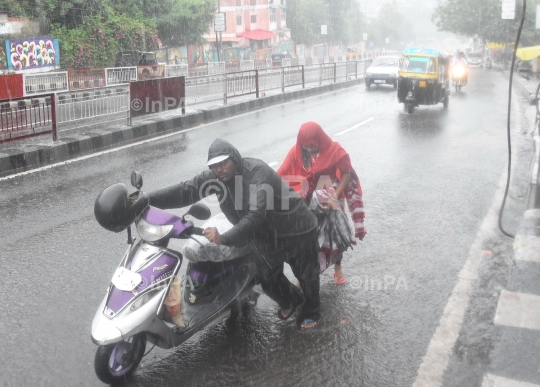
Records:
x=266, y=213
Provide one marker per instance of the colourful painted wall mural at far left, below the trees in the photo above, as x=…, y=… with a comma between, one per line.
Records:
x=32, y=53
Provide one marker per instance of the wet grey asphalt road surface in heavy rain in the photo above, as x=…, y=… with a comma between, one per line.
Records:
x=428, y=181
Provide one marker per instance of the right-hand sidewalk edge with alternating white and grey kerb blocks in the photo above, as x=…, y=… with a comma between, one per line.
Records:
x=514, y=359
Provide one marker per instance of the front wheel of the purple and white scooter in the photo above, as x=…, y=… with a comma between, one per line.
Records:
x=114, y=363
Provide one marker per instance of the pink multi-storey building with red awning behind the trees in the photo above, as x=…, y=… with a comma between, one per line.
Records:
x=253, y=23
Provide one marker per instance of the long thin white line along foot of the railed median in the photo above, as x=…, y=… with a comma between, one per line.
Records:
x=164, y=136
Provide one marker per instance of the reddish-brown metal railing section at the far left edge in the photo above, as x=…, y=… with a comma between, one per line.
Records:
x=27, y=117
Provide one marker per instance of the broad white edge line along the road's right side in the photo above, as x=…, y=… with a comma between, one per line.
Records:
x=436, y=359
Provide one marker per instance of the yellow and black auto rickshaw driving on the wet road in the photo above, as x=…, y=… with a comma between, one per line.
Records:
x=424, y=79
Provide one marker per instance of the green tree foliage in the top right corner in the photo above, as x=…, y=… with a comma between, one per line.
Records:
x=483, y=19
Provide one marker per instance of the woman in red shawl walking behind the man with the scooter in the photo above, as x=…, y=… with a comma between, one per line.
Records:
x=316, y=164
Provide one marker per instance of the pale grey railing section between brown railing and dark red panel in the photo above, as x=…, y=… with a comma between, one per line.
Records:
x=92, y=103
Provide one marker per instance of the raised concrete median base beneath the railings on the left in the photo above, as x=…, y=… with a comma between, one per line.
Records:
x=27, y=154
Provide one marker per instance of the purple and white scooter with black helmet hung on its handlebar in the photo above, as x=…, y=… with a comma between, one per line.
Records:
x=133, y=311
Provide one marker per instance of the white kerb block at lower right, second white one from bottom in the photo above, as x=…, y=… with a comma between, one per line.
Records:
x=518, y=310
